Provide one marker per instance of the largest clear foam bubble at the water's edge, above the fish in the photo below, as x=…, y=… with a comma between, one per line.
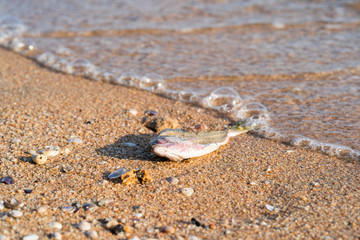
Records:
x=223, y=99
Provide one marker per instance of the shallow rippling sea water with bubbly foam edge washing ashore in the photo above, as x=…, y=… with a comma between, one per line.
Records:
x=291, y=67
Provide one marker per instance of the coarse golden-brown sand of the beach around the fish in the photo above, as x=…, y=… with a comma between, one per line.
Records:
x=314, y=196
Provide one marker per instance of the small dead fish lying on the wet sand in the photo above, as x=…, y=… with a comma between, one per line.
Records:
x=177, y=145
